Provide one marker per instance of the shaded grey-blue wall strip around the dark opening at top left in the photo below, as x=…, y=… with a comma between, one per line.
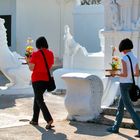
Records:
x=8, y=7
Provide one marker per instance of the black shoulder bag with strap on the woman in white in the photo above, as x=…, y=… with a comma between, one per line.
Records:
x=134, y=92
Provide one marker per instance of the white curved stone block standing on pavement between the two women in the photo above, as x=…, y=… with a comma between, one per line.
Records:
x=83, y=96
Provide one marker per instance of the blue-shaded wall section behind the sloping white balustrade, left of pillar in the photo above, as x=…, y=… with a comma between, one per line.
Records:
x=88, y=20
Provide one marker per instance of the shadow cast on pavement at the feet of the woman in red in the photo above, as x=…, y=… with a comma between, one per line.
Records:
x=50, y=134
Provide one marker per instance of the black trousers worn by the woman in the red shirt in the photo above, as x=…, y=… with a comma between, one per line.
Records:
x=39, y=88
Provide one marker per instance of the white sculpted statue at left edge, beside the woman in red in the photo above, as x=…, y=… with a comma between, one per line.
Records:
x=10, y=64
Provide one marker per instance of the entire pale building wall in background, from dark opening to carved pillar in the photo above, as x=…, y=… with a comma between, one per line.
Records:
x=48, y=18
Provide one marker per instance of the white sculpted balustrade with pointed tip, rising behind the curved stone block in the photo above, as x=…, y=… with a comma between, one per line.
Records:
x=77, y=57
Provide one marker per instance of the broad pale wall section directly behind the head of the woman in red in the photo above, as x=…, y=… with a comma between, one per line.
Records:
x=43, y=17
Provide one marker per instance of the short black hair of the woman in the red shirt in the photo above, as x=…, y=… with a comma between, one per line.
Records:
x=41, y=42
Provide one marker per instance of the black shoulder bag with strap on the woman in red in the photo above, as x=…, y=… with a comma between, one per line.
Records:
x=50, y=85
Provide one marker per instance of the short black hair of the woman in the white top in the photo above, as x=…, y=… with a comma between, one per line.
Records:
x=125, y=44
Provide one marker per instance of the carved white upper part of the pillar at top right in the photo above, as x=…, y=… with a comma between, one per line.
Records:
x=124, y=14
